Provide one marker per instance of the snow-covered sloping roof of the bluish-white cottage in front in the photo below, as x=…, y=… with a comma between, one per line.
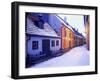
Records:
x=46, y=31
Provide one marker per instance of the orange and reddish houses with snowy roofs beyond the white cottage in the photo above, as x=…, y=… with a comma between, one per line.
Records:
x=69, y=36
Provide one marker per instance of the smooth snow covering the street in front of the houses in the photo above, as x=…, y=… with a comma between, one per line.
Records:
x=77, y=56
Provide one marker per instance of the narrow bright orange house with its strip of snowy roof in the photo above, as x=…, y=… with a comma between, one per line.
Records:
x=67, y=35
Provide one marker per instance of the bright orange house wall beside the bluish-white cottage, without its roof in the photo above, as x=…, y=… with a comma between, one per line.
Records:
x=67, y=37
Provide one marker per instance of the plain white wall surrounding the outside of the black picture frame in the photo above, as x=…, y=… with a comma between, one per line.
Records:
x=5, y=40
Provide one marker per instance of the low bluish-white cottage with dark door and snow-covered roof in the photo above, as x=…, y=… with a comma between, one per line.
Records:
x=41, y=41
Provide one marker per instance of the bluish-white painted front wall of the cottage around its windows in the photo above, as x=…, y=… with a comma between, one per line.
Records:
x=39, y=39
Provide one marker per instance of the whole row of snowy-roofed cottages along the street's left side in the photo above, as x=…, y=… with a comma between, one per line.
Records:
x=49, y=34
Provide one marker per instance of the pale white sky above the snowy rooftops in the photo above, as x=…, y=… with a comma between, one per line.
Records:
x=76, y=21
